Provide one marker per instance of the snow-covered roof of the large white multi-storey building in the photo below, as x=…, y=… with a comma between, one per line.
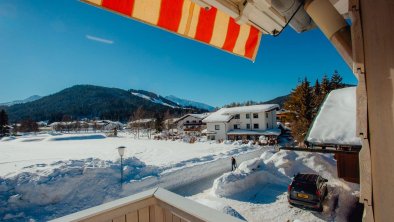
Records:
x=225, y=114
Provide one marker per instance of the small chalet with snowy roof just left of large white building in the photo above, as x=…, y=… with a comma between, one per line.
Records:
x=190, y=123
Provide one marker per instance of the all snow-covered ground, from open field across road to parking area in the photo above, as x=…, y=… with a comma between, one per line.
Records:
x=46, y=176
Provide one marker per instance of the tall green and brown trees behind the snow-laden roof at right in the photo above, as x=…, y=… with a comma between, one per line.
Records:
x=305, y=100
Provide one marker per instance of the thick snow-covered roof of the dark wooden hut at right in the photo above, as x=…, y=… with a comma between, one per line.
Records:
x=336, y=120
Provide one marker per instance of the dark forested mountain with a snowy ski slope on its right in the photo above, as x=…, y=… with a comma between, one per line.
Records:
x=88, y=101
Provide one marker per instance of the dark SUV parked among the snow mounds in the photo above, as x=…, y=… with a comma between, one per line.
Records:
x=307, y=190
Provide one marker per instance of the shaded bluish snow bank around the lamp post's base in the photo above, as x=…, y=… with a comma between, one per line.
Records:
x=66, y=186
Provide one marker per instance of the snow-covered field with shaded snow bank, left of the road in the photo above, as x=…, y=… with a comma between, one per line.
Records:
x=46, y=176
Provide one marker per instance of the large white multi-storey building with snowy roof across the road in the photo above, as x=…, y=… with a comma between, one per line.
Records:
x=246, y=122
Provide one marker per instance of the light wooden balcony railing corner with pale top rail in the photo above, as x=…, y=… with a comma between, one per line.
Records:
x=155, y=205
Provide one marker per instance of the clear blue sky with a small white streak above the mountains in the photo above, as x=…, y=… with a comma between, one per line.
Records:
x=49, y=45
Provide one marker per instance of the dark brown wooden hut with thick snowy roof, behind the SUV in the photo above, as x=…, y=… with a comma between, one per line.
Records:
x=334, y=129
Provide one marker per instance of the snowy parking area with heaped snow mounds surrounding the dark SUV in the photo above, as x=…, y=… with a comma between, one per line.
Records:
x=257, y=190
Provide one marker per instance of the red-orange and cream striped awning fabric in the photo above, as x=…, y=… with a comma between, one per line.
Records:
x=188, y=19
